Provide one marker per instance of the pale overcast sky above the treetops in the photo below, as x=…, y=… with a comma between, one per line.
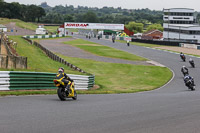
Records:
x=128, y=4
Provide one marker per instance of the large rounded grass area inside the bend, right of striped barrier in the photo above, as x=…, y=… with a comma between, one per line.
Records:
x=122, y=78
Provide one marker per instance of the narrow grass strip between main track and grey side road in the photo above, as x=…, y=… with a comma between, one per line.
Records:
x=105, y=51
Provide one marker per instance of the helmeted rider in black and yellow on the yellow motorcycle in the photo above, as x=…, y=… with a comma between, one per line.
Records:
x=64, y=78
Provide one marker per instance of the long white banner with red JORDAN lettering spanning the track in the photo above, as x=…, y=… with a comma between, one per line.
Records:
x=94, y=26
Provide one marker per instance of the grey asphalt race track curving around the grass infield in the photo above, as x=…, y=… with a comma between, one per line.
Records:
x=170, y=109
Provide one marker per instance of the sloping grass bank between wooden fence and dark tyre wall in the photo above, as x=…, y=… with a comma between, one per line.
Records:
x=37, y=60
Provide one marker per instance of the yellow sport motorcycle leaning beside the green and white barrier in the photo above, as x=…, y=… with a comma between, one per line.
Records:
x=62, y=92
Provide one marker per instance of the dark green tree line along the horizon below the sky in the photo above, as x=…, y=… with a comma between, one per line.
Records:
x=134, y=19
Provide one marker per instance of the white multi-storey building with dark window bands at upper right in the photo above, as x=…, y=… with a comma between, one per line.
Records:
x=179, y=25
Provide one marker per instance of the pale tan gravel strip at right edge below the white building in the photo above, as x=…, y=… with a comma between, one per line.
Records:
x=181, y=49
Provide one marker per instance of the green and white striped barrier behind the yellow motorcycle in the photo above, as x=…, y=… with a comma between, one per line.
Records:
x=15, y=80
